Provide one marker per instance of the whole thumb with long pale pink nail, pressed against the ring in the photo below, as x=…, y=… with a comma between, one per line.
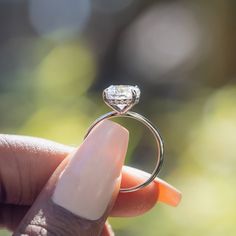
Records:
x=80, y=194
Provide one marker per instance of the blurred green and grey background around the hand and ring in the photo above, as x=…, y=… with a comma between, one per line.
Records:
x=56, y=56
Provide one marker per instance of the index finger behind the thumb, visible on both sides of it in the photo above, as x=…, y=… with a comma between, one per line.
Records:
x=38, y=158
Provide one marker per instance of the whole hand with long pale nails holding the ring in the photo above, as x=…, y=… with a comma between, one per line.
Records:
x=82, y=188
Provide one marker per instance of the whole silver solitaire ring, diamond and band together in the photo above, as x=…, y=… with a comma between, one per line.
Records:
x=128, y=96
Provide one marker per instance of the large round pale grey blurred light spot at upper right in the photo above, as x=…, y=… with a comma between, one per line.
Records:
x=164, y=38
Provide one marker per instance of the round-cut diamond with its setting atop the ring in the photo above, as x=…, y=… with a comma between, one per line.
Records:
x=121, y=97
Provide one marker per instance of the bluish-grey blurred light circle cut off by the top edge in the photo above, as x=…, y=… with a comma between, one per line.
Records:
x=59, y=19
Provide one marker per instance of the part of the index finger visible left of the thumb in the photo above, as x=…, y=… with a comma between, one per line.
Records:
x=26, y=165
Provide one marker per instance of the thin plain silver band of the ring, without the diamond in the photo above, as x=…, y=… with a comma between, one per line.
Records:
x=150, y=126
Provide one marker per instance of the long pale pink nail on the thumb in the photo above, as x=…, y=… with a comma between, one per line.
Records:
x=86, y=186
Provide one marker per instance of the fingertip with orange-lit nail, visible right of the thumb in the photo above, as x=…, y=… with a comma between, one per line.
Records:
x=139, y=202
